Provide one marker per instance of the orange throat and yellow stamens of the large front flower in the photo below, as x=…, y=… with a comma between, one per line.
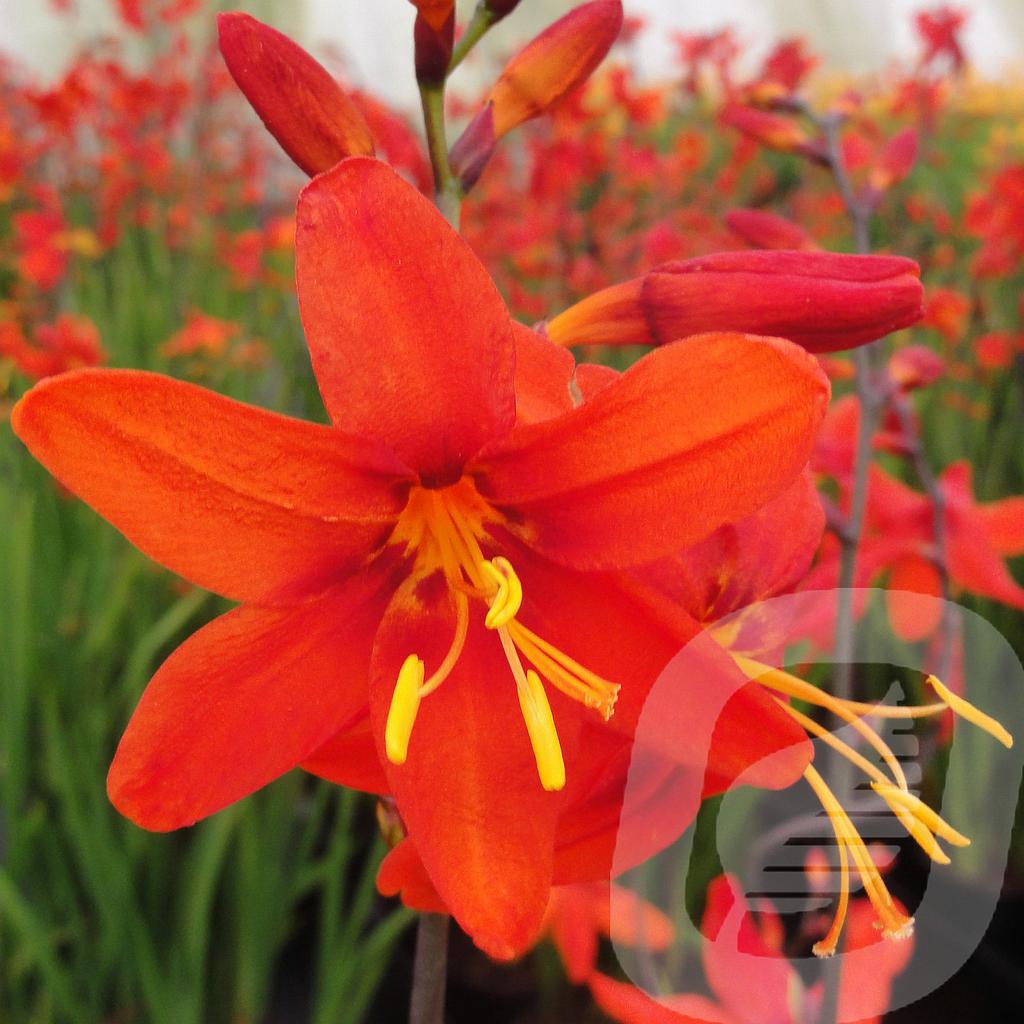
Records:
x=444, y=530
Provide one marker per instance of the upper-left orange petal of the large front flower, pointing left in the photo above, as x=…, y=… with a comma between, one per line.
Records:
x=247, y=503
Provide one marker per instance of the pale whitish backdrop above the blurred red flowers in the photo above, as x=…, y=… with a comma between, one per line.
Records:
x=374, y=36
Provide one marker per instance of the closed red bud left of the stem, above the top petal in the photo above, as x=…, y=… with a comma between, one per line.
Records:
x=296, y=98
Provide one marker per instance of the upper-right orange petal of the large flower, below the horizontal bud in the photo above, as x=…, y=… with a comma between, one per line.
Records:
x=662, y=456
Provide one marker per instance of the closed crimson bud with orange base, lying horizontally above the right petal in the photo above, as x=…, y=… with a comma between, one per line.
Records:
x=824, y=302
